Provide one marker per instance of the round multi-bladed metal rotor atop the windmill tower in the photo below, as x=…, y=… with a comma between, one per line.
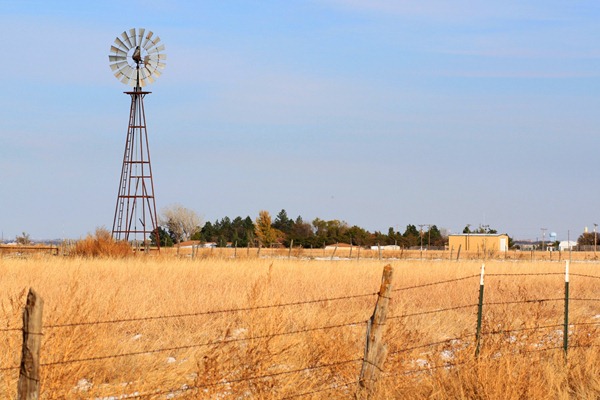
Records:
x=137, y=57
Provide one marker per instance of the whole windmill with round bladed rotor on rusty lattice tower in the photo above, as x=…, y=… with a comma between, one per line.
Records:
x=136, y=59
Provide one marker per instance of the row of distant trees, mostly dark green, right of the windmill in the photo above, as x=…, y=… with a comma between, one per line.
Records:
x=183, y=225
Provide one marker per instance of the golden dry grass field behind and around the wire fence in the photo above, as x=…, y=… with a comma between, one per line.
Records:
x=215, y=327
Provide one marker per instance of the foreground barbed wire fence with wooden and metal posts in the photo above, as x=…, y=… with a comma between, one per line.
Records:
x=401, y=357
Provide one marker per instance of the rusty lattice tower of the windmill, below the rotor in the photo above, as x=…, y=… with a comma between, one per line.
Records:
x=135, y=213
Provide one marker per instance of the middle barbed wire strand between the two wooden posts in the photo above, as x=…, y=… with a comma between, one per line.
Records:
x=185, y=347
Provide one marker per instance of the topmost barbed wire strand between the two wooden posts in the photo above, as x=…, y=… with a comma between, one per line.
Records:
x=232, y=310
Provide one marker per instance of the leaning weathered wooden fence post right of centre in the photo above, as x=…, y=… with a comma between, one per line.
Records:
x=375, y=349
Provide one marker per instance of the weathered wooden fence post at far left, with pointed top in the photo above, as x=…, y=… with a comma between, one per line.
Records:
x=29, y=375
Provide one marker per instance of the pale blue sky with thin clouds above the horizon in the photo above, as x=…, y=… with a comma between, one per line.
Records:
x=379, y=113
